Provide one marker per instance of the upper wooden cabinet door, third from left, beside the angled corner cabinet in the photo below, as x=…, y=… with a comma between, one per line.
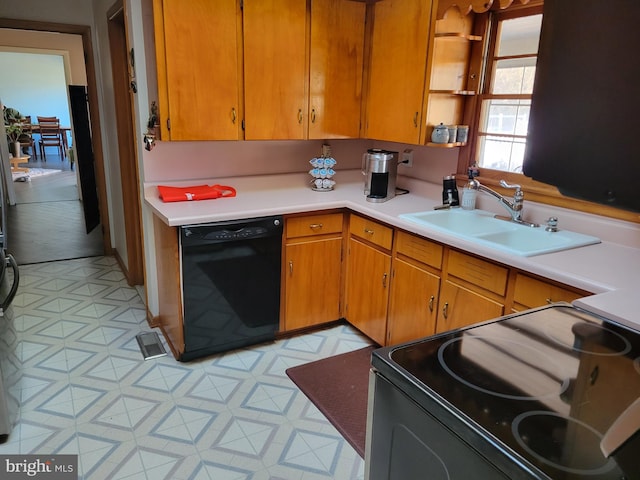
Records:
x=336, y=63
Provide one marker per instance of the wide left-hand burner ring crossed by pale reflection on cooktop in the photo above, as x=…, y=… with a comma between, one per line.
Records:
x=503, y=361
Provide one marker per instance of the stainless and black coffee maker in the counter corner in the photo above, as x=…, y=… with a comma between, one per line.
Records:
x=380, y=169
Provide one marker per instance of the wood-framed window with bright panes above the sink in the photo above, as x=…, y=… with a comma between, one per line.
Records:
x=506, y=98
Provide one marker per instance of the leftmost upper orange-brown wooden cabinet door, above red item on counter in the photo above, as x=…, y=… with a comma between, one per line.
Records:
x=198, y=68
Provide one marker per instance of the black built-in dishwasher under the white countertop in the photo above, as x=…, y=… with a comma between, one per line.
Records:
x=231, y=284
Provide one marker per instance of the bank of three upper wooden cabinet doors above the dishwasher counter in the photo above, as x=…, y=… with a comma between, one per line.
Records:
x=271, y=69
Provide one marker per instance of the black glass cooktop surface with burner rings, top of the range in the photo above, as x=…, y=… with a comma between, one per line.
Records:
x=548, y=384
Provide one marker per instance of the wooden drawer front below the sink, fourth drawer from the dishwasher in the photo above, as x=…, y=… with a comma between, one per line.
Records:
x=479, y=272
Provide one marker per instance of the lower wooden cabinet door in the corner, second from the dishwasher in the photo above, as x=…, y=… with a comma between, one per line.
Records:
x=368, y=290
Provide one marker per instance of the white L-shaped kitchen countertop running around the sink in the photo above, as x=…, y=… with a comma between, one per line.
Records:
x=601, y=268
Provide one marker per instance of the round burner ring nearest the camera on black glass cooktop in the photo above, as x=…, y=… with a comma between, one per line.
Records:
x=547, y=435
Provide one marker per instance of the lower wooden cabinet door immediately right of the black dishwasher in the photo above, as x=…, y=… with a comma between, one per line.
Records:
x=312, y=283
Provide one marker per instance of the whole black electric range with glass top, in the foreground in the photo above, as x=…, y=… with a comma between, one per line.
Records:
x=530, y=395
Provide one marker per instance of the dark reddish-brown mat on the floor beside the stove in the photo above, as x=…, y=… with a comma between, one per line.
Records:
x=338, y=386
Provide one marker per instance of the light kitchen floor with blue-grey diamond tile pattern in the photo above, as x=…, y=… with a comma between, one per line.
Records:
x=85, y=389
